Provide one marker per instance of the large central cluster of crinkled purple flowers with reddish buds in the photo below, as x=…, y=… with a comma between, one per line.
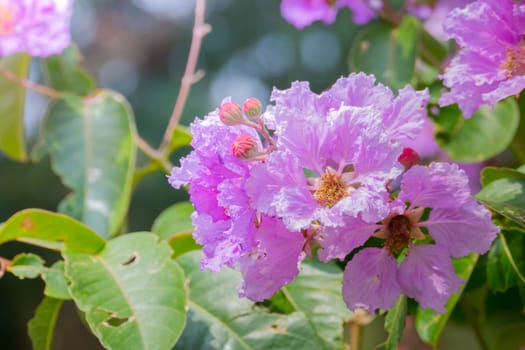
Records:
x=326, y=175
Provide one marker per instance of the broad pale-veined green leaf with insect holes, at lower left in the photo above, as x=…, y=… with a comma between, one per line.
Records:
x=132, y=293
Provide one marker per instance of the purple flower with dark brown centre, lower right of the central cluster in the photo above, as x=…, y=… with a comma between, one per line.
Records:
x=457, y=225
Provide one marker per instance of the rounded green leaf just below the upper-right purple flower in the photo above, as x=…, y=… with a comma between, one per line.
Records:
x=486, y=134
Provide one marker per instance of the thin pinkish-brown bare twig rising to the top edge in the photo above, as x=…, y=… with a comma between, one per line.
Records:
x=200, y=29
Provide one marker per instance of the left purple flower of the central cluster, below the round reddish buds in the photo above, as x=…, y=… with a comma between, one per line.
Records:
x=228, y=227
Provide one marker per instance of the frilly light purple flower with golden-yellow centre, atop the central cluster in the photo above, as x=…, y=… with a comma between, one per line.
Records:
x=336, y=151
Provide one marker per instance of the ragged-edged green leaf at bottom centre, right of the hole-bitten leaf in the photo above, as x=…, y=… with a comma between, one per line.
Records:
x=219, y=319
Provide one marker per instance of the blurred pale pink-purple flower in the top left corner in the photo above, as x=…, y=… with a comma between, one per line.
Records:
x=38, y=27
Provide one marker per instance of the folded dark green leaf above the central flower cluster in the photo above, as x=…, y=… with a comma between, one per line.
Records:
x=387, y=52
